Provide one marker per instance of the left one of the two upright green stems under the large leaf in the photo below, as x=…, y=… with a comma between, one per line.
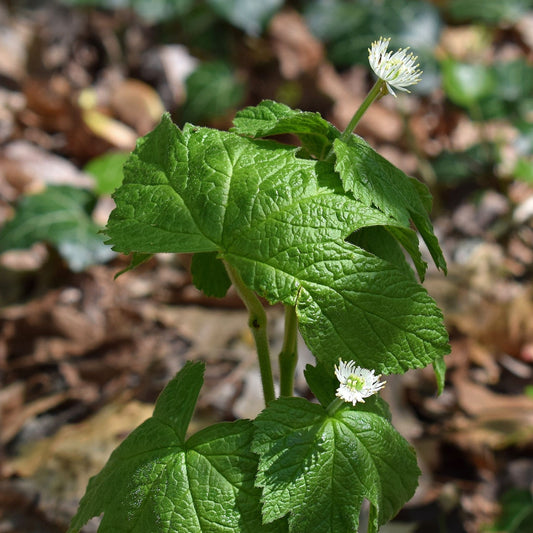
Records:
x=257, y=322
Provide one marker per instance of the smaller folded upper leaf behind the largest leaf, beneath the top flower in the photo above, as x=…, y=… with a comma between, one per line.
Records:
x=372, y=179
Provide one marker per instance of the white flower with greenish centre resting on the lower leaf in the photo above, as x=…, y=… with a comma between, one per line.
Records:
x=356, y=383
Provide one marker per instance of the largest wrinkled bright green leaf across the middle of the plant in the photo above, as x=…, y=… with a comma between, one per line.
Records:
x=281, y=222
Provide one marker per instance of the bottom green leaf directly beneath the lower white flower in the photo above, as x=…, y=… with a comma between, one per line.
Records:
x=318, y=469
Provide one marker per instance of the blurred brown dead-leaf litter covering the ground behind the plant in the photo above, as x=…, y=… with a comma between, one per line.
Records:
x=82, y=357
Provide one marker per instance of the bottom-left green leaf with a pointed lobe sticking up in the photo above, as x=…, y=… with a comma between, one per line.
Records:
x=156, y=481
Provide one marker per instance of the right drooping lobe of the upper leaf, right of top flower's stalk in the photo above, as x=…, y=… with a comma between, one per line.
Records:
x=375, y=181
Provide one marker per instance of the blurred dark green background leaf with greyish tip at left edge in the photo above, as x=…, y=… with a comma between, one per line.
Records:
x=60, y=216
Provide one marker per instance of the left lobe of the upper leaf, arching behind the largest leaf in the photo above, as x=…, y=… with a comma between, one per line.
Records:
x=272, y=118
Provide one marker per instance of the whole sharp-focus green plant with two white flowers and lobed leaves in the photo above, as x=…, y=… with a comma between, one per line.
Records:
x=323, y=229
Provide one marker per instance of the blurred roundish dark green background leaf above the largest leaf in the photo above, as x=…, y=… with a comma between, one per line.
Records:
x=212, y=90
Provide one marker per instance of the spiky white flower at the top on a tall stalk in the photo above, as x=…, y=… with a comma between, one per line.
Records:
x=398, y=69
